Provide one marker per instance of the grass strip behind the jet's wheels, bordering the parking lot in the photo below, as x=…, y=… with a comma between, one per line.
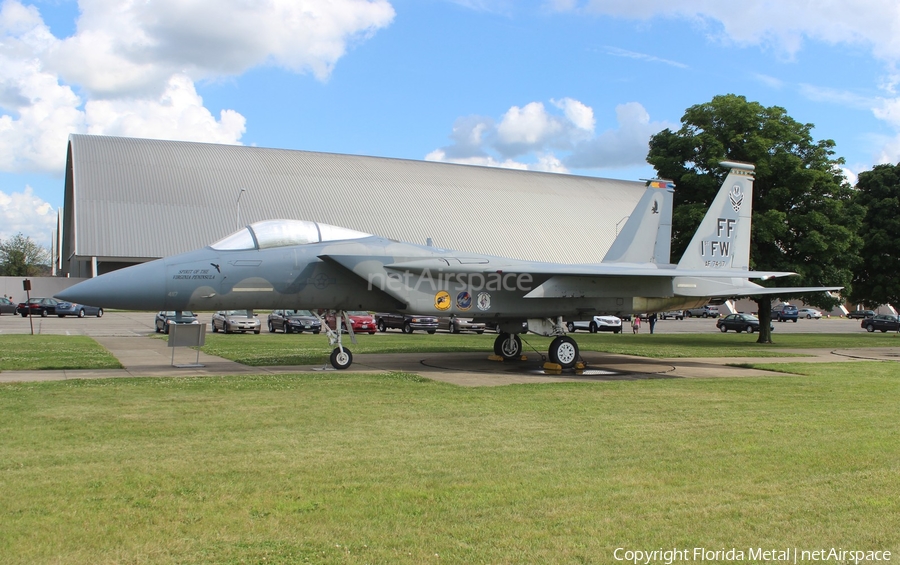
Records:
x=304, y=349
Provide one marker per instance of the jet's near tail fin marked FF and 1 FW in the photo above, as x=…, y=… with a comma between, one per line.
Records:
x=723, y=239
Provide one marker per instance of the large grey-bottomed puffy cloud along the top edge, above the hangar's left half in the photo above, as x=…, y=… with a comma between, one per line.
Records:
x=132, y=47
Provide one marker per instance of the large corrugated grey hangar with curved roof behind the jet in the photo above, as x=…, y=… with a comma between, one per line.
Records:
x=132, y=200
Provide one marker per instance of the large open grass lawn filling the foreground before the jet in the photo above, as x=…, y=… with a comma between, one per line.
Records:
x=356, y=468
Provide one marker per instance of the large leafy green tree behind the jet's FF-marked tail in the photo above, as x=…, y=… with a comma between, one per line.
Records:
x=803, y=221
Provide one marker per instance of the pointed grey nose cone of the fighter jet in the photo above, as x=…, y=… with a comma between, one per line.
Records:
x=141, y=287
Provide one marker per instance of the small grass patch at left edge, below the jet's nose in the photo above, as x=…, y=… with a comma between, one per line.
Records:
x=30, y=352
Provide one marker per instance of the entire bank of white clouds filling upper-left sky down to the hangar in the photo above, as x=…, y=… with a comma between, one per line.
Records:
x=135, y=62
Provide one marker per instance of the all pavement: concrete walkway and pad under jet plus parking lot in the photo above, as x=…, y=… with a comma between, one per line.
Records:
x=125, y=334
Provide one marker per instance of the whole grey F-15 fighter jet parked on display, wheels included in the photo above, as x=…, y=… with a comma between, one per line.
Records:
x=308, y=265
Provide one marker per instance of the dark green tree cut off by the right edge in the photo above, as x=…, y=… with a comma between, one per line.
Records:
x=875, y=281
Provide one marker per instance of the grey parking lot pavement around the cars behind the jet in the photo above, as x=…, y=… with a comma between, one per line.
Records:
x=125, y=324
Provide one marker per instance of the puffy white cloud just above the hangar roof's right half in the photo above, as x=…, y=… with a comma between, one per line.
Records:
x=531, y=137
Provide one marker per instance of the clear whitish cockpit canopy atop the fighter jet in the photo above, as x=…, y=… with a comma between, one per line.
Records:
x=281, y=233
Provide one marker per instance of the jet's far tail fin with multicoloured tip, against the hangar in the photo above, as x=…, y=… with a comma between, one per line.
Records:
x=647, y=235
